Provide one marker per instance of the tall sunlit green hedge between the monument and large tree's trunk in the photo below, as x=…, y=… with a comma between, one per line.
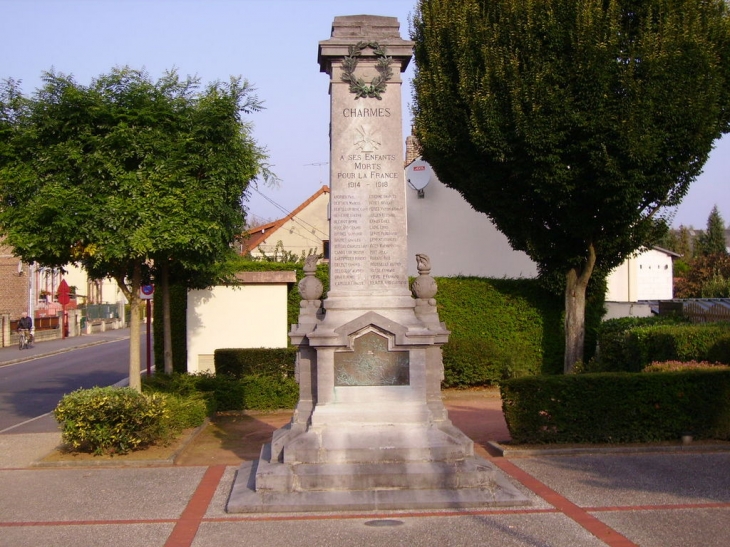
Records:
x=499, y=328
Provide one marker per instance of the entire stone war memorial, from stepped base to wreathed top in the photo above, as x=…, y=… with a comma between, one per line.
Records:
x=370, y=430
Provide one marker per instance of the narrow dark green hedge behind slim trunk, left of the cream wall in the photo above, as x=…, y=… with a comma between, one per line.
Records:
x=178, y=311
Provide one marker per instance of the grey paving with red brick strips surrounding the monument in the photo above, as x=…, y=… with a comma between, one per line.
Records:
x=653, y=499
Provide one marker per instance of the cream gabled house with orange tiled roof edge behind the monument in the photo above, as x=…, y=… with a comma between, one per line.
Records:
x=302, y=232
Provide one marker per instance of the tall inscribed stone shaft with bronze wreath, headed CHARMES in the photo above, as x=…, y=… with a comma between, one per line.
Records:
x=367, y=211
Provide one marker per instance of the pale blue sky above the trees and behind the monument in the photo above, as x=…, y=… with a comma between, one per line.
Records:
x=271, y=43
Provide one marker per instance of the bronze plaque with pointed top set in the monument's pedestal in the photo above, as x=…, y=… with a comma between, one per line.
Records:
x=371, y=364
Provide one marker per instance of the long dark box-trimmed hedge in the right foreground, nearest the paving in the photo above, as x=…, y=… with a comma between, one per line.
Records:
x=618, y=408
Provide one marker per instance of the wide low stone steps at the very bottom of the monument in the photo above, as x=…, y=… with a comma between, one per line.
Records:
x=439, y=488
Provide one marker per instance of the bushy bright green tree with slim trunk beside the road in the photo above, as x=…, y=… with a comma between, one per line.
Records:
x=126, y=176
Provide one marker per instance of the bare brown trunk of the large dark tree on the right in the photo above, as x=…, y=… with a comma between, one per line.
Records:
x=575, y=311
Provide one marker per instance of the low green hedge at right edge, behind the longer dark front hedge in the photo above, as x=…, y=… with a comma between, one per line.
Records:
x=630, y=345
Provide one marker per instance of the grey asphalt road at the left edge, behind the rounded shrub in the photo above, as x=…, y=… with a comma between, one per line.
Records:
x=31, y=389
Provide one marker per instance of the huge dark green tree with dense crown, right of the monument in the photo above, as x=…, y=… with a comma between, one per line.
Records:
x=572, y=123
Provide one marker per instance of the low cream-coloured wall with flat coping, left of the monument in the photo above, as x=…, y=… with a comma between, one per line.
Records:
x=251, y=314
